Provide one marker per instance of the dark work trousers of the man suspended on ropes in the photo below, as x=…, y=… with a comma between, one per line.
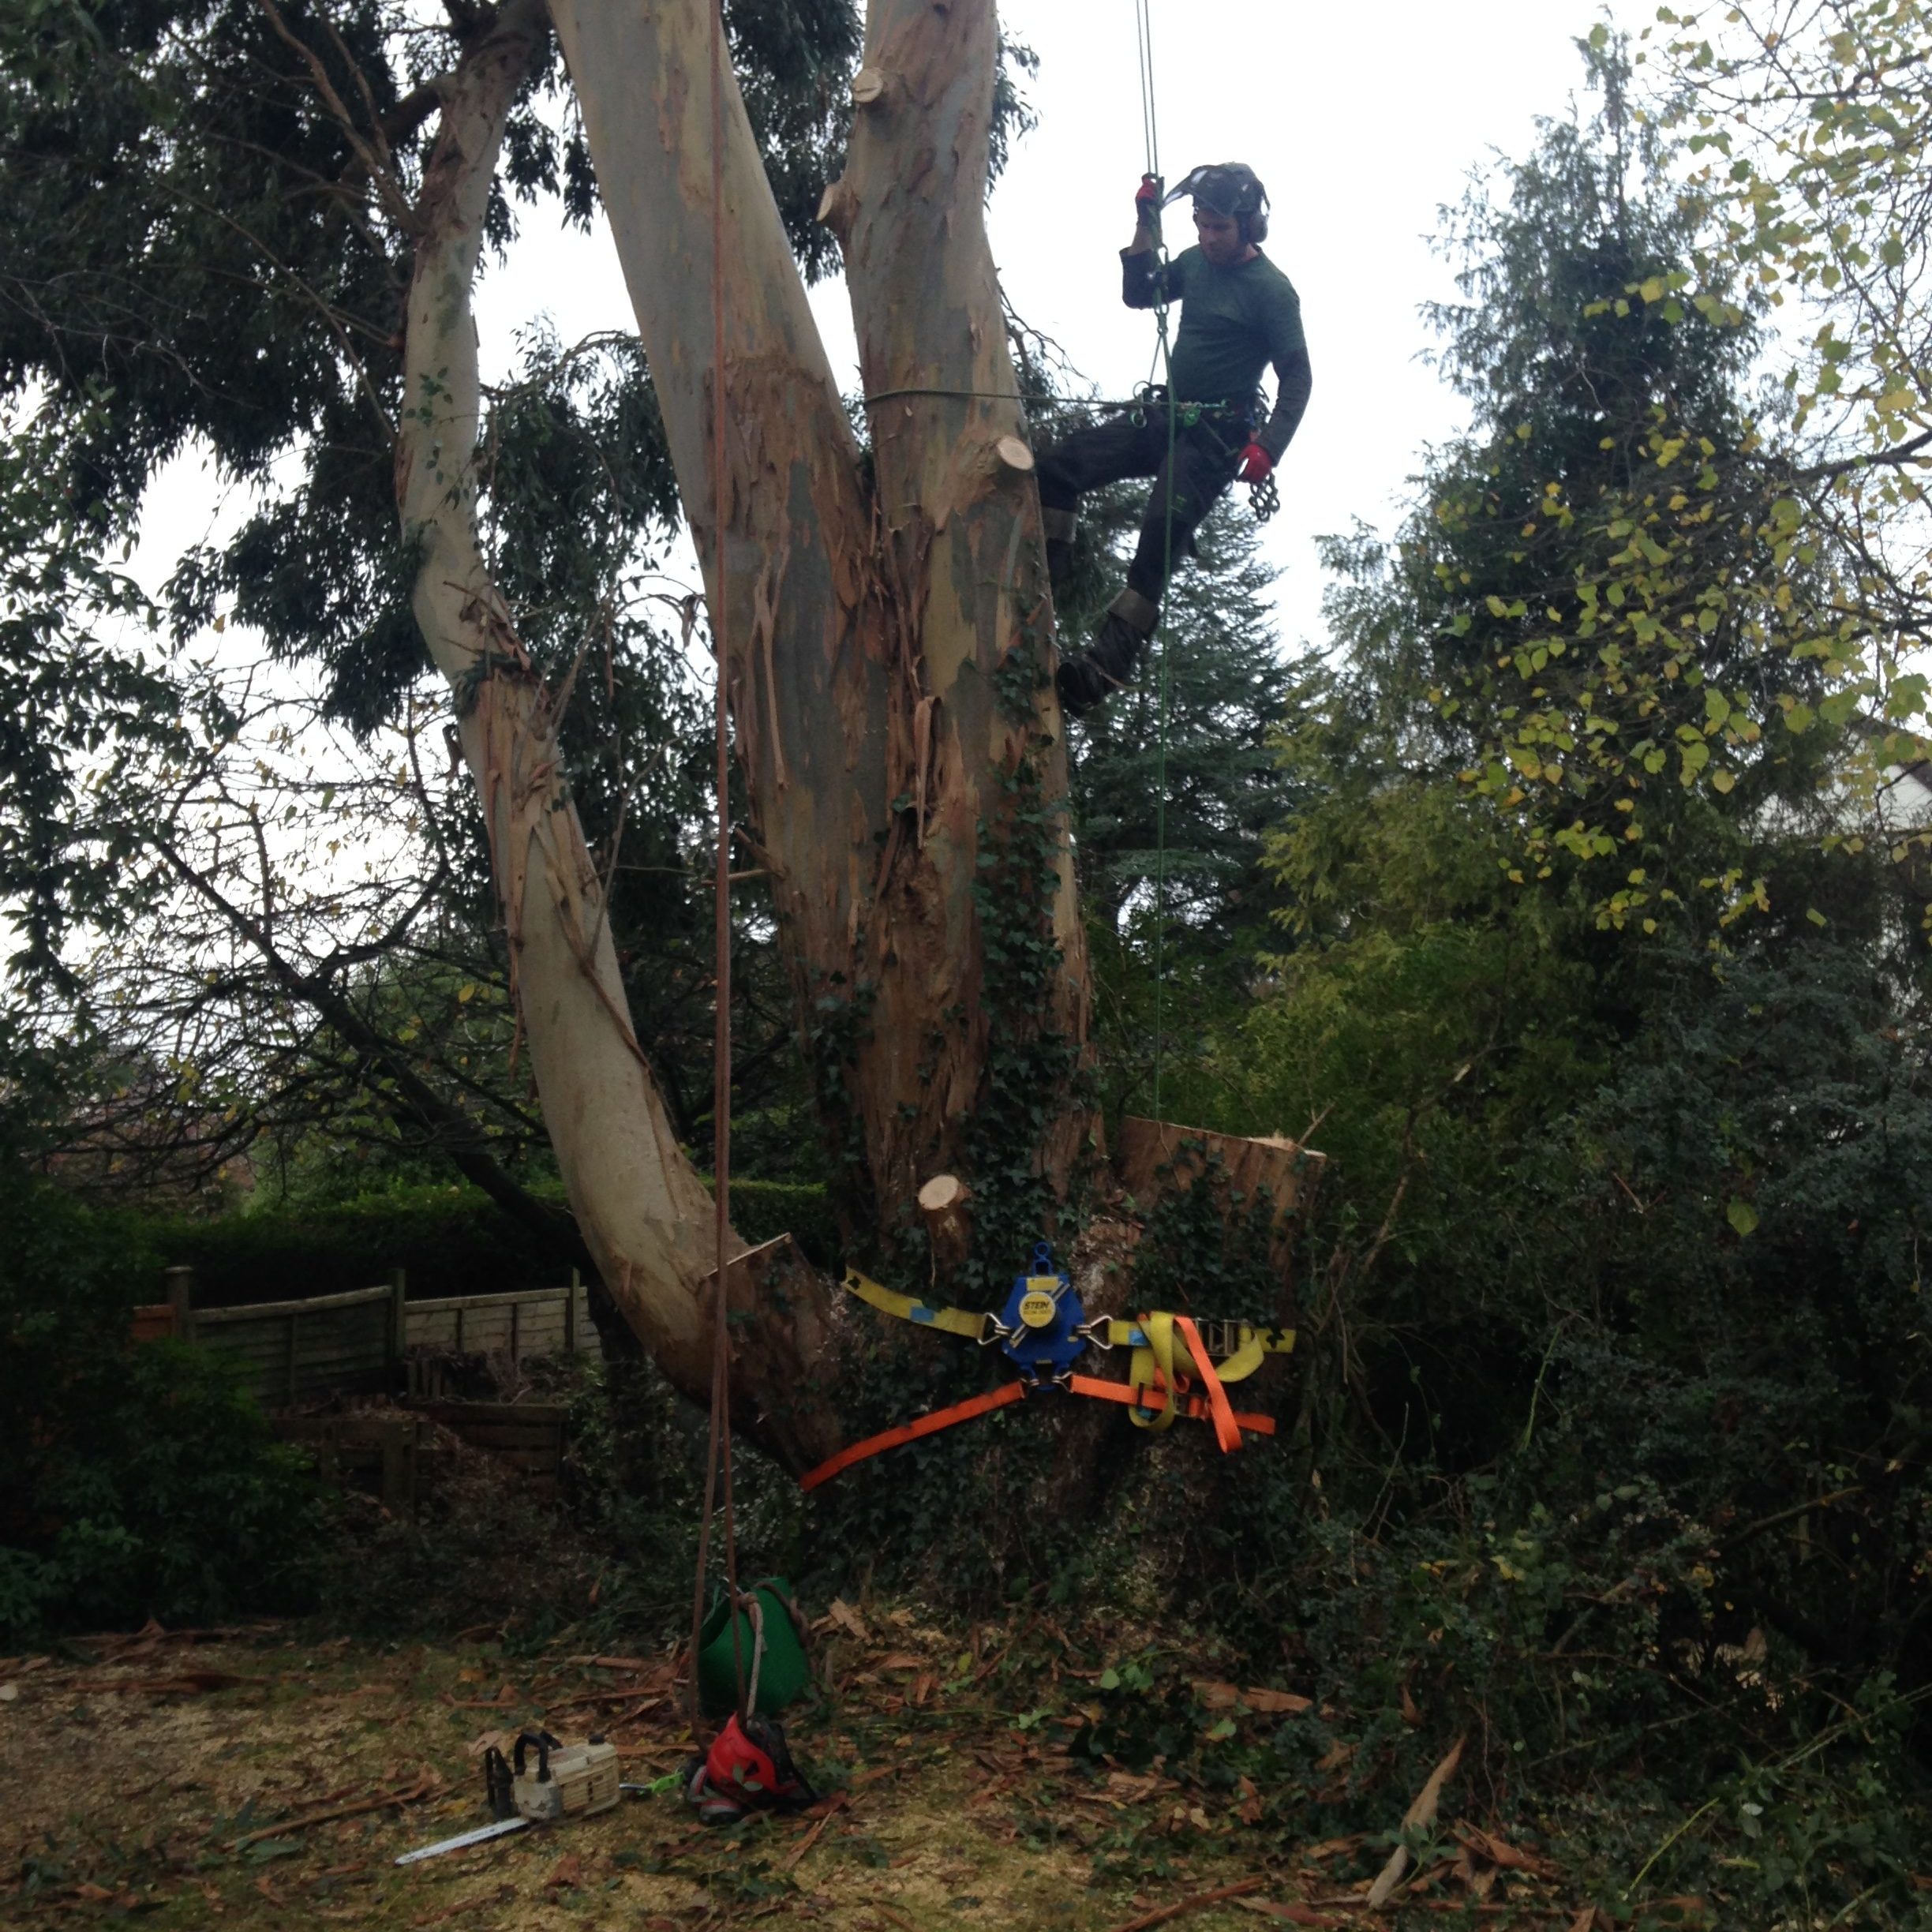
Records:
x=1122, y=447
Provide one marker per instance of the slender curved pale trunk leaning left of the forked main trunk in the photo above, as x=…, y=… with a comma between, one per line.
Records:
x=642, y=1208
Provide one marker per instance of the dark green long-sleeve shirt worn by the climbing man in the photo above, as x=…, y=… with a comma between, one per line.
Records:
x=1234, y=326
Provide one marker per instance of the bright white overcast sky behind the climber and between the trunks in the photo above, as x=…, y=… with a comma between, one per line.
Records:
x=1361, y=119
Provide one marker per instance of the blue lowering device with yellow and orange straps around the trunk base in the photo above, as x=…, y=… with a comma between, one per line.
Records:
x=1179, y=1367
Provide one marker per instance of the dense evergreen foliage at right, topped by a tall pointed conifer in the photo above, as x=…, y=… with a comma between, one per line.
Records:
x=1610, y=1373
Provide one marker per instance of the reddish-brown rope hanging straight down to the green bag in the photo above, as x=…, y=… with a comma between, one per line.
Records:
x=718, y=1450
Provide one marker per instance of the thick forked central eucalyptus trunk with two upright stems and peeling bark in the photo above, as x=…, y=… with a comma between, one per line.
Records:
x=888, y=627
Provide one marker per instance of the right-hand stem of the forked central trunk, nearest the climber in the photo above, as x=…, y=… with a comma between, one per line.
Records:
x=963, y=523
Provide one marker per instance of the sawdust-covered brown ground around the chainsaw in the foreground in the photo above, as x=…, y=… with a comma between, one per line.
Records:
x=169, y=1780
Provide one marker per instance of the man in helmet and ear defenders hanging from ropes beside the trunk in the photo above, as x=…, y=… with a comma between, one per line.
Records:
x=1237, y=314
